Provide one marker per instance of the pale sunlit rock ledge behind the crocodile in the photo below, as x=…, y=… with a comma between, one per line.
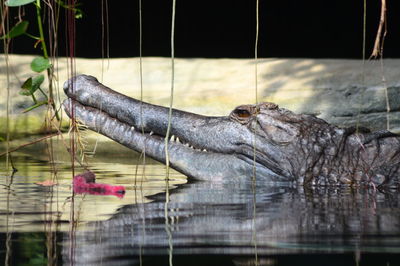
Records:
x=343, y=92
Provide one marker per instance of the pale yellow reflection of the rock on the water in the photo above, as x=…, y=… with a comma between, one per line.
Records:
x=41, y=208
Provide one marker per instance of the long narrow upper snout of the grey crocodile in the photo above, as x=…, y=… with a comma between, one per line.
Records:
x=190, y=128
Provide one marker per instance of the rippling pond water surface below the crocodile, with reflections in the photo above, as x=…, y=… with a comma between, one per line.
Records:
x=183, y=222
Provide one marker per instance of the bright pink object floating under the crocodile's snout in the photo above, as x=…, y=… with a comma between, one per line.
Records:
x=85, y=183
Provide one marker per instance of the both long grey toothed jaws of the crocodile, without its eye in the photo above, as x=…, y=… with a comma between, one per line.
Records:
x=200, y=146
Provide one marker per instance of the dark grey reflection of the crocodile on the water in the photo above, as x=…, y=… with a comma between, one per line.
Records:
x=209, y=218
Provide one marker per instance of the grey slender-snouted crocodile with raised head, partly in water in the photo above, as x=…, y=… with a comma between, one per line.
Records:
x=254, y=142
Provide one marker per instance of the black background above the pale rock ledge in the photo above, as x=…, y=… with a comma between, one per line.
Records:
x=226, y=28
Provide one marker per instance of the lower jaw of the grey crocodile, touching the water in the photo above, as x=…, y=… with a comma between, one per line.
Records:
x=192, y=162
